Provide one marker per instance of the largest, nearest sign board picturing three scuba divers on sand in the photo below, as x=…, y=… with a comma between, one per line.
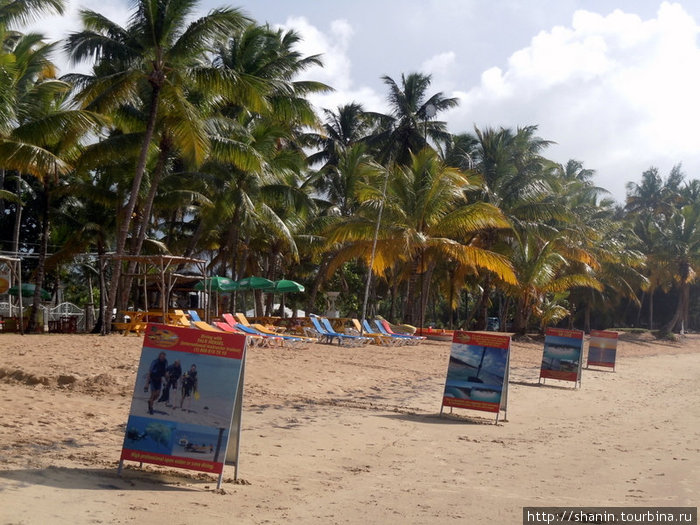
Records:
x=188, y=391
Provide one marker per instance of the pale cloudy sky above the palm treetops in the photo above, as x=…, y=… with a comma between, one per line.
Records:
x=614, y=83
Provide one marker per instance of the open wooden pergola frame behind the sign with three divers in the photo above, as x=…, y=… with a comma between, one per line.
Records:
x=159, y=268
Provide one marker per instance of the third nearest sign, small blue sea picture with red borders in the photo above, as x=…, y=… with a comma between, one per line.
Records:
x=562, y=357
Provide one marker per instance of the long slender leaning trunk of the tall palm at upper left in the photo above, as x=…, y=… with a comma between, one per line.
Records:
x=125, y=222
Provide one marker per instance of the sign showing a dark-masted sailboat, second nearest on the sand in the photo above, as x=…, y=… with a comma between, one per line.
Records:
x=477, y=374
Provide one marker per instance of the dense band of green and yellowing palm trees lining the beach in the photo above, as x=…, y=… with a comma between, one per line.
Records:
x=196, y=137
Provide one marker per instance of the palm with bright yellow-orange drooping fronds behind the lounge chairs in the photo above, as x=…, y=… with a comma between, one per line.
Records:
x=426, y=219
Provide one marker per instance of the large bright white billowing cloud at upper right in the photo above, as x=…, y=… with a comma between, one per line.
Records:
x=613, y=91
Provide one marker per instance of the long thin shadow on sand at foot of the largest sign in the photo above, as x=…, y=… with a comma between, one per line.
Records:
x=98, y=479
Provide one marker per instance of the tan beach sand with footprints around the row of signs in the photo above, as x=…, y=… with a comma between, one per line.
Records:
x=338, y=435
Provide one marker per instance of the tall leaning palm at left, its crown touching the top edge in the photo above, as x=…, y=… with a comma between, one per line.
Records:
x=155, y=57
